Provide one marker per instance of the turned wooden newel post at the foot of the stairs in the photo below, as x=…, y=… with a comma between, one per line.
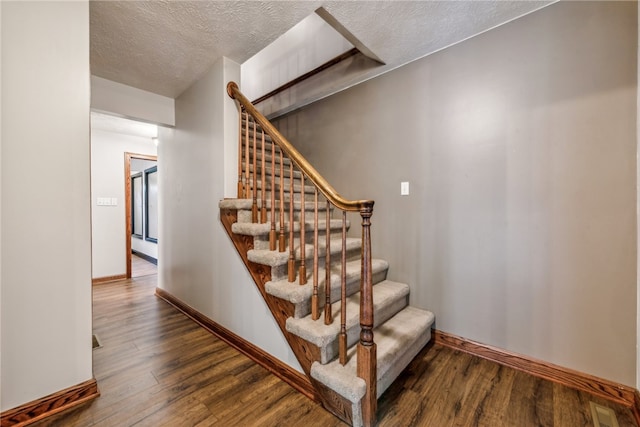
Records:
x=367, y=368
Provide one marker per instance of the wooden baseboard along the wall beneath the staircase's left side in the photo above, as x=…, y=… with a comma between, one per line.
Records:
x=287, y=374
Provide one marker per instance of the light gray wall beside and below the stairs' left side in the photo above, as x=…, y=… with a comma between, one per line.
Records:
x=198, y=262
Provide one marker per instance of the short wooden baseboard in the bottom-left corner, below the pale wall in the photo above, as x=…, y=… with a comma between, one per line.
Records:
x=49, y=405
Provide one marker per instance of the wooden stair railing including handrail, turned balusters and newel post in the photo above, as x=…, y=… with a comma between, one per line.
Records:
x=366, y=348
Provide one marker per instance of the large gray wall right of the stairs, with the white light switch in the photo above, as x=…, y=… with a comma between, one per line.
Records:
x=520, y=148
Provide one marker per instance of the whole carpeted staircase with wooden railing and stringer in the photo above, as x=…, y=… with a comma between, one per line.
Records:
x=291, y=228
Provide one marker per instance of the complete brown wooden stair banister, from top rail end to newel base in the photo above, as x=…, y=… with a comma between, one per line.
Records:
x=252, y=175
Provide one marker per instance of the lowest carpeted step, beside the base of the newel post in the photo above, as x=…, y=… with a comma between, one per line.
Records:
x=398, y=341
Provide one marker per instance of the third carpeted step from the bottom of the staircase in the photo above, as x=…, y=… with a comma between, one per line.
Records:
x=300, y=296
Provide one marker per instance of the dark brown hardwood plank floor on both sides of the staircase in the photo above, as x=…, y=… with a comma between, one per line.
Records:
x=158, y=368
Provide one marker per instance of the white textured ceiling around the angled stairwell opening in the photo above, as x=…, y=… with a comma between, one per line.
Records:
x=165, y=46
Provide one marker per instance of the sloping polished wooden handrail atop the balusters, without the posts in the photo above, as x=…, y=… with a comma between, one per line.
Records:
x=325, y=188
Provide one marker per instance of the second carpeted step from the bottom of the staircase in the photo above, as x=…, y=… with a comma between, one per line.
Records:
x=388, y=298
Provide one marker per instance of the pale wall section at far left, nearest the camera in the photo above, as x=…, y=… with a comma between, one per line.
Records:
x=46, y=229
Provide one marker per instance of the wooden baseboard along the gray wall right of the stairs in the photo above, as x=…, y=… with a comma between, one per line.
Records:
x=605, y=389
